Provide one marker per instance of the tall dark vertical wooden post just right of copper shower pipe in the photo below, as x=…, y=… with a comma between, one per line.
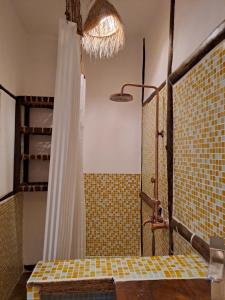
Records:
x=170, y=126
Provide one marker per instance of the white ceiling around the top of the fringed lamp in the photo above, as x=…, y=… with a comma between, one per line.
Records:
x=40, y=17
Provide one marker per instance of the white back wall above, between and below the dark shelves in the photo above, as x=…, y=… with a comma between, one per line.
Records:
x=39, y=80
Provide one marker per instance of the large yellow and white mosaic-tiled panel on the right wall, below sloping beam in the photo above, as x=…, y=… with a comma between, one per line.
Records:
x=199, y=146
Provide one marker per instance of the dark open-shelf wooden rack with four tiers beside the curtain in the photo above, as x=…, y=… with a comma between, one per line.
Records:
x=23, y=134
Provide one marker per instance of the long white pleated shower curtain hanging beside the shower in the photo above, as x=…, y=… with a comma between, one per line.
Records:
x=65, y=217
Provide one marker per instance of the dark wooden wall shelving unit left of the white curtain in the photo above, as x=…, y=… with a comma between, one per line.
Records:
x=25, y=131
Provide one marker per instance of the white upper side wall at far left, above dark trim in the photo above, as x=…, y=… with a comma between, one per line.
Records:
x=12, y=48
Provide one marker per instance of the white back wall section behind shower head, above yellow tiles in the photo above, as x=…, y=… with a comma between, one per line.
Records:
x=112, y=138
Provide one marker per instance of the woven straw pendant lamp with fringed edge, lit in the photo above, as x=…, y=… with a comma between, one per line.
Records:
x=103, y=32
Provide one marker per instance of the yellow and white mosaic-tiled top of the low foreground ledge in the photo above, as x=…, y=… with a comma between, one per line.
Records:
x=126, y=268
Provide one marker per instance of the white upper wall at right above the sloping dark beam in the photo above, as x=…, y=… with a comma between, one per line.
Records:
x=194, y=21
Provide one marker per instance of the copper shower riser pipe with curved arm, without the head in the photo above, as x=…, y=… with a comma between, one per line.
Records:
x=156, y=183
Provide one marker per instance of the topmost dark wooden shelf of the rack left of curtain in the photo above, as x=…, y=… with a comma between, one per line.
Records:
x=37, y=102
